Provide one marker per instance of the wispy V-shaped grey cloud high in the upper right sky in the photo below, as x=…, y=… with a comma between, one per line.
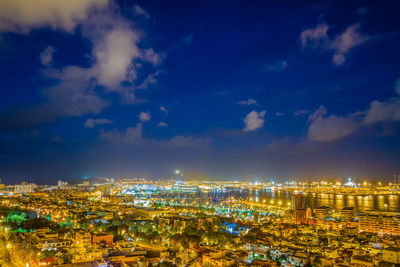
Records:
x=341, y=44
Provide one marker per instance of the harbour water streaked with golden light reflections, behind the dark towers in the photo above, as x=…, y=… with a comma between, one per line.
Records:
x=335, y=201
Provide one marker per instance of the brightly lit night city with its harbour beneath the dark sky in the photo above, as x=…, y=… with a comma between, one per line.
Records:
x=141, y=222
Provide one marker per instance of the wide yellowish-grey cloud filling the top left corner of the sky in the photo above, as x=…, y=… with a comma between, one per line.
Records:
x=21, y=16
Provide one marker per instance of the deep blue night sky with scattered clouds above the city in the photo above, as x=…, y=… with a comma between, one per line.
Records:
x=233, y=89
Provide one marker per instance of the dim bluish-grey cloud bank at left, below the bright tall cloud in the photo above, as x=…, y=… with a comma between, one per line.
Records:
x=72, y=95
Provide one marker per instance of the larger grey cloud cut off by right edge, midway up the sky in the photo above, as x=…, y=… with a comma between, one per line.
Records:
x=383, y=111
